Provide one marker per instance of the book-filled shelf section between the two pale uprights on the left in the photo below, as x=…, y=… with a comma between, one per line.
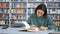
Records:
x=18, y=12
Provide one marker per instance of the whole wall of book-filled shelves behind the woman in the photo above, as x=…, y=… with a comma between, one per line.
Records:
x=14, y=11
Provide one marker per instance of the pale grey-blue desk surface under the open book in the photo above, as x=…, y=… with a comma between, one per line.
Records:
x=15, y=31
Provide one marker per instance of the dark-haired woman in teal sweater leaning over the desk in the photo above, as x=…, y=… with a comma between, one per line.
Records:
x=40, y=19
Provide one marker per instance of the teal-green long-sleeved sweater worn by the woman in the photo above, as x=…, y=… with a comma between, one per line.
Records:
x=41, y=21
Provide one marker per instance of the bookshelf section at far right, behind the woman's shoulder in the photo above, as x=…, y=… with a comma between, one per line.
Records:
x=53, y=7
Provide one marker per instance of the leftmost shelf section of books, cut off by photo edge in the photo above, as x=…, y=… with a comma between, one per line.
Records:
x=4, y=13
